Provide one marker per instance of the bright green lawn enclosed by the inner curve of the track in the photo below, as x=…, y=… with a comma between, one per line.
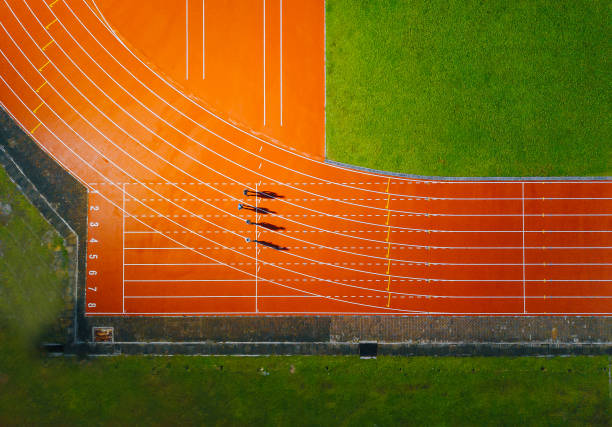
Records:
x=471, y=88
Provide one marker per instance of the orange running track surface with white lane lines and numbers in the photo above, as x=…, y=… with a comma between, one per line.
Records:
x=167, y=123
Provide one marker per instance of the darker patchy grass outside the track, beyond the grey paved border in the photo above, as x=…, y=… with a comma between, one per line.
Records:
x=255, y=390
